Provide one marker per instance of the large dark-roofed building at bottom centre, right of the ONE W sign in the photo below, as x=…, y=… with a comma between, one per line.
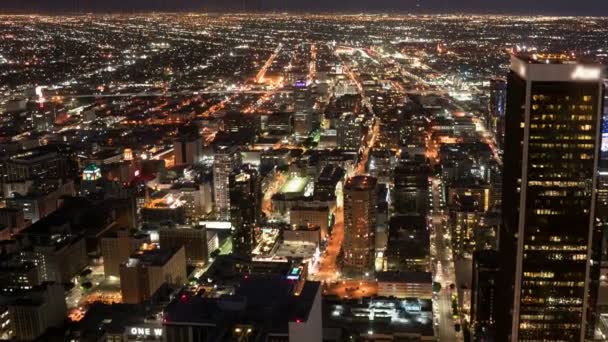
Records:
x=263, y=308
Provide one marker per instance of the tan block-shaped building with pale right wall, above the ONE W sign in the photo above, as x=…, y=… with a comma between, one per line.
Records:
x=147, y=271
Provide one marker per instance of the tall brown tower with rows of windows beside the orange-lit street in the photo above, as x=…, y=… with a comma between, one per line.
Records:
x=359, y=224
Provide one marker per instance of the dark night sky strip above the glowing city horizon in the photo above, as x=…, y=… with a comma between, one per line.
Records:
x=562, y=7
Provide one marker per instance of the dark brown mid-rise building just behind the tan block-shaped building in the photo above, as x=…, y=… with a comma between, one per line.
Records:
x=192, y=238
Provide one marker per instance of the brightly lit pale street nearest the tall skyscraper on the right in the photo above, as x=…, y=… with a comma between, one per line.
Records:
x=441, y=253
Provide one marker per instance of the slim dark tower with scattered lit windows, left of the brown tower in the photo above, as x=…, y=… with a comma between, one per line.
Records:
x=245, y=208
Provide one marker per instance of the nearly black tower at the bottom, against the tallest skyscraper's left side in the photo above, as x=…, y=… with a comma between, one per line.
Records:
x=485, y=294
